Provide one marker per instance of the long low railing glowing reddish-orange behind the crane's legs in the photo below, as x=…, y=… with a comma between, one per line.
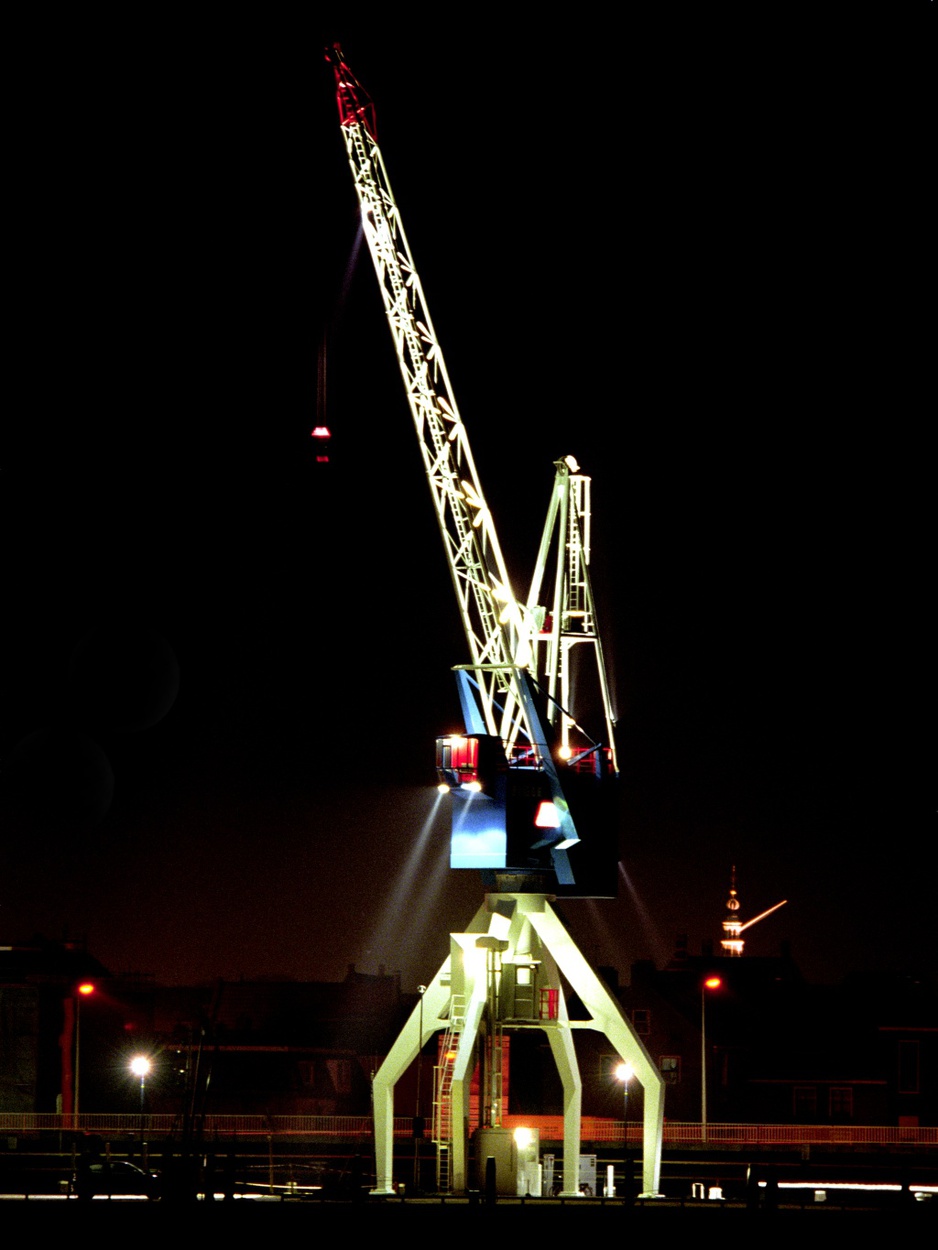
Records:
x=358, y=1128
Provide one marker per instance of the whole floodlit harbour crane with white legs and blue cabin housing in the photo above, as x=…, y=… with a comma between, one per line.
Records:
x=505, y=973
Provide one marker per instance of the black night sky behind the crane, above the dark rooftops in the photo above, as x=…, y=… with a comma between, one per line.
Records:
x=695, y=259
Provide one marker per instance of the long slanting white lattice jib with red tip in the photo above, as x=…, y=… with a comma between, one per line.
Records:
x=493, y=621
